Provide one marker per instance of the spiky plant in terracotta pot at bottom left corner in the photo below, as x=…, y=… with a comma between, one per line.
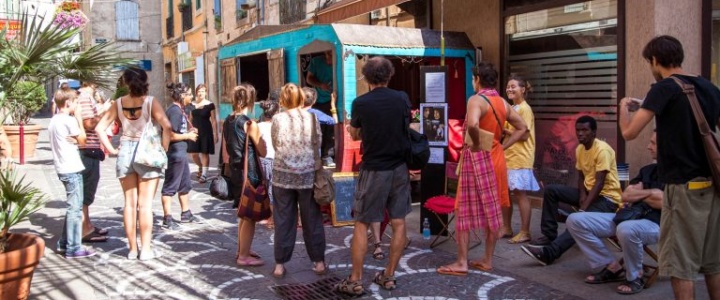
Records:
x=20, y=253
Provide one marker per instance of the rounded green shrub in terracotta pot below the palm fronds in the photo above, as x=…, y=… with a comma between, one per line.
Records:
x=24, y=100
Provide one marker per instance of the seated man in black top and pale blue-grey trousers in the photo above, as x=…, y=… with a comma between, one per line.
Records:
x=590, y=228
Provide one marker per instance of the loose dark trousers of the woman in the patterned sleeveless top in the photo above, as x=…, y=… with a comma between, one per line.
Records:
x=285, y=217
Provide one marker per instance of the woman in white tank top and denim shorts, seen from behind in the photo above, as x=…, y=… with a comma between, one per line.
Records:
x=133, y=112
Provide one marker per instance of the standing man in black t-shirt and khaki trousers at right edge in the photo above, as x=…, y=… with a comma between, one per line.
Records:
x=689, y=235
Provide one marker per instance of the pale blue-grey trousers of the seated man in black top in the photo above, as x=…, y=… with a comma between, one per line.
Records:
x=590, y=228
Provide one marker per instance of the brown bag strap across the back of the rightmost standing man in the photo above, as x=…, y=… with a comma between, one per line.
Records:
x=710, y=139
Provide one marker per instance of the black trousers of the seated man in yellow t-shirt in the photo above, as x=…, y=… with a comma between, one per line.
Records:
x=555, y=194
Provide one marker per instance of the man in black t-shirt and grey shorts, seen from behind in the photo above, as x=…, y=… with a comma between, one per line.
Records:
x=378, y=119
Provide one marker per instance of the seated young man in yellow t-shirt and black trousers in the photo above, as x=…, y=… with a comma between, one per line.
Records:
x=598, y=190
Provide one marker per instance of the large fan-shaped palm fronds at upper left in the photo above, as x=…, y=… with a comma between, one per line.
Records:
x=43, y=51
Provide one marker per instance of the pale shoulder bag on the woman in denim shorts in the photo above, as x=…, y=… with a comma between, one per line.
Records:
x=149, y=151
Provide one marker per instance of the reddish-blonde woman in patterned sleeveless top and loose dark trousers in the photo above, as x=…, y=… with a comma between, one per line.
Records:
x=296, y=138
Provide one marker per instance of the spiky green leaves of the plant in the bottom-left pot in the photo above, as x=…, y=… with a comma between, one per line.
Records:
x=18, y=200
